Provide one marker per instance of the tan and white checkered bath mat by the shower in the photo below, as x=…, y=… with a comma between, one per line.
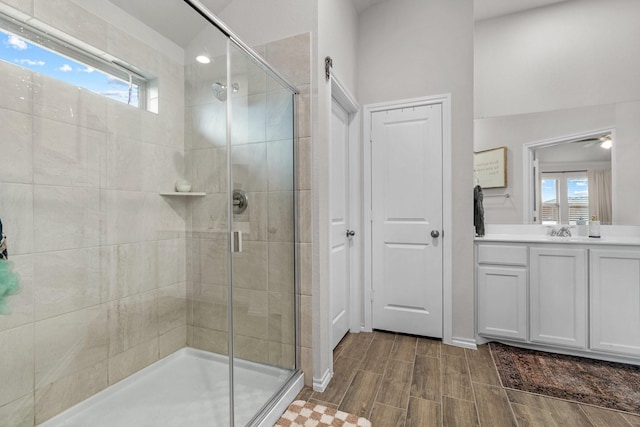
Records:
x=305, y=414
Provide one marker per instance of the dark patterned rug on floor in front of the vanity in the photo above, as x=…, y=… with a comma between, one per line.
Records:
x=595, y=382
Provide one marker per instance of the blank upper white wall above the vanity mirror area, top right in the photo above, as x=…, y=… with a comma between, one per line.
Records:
x=571, y=54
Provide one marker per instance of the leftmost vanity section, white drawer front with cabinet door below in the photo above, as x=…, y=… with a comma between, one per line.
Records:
x=501, y=276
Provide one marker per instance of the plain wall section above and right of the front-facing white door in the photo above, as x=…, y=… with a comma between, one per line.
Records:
x=411, y=48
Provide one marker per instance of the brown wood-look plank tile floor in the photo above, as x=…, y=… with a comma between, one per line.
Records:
x=398, y=380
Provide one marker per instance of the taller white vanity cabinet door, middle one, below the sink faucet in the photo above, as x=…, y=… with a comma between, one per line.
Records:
x=558, y=296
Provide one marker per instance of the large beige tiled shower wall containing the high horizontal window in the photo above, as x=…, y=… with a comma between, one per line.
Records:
x=103, y=274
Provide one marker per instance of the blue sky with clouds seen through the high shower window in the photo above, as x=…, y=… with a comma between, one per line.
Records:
x=19, y=51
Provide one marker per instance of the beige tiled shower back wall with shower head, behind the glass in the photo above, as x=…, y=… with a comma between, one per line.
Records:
x=261, y=155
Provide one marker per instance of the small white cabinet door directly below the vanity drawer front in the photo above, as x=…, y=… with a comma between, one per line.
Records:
x=502, y=302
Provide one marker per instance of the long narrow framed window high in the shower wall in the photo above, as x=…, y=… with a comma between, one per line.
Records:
x=33, y=49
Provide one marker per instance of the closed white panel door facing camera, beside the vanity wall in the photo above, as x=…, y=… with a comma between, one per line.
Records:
x=406, y=236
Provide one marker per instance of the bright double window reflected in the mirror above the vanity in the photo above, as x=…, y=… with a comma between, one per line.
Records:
x=564, y=197
